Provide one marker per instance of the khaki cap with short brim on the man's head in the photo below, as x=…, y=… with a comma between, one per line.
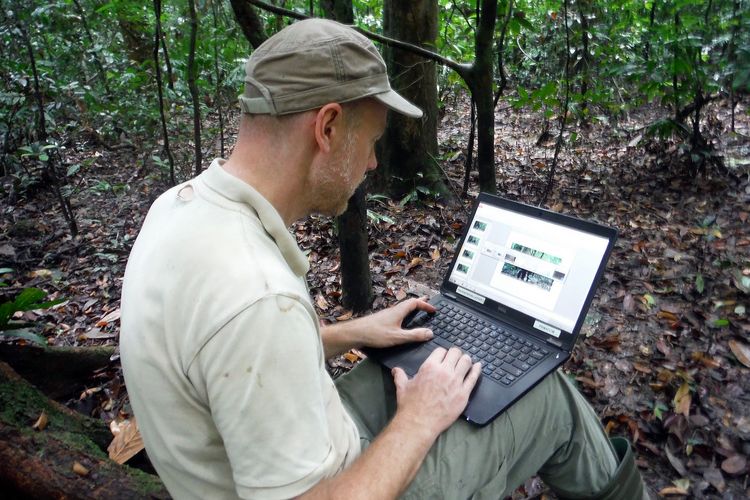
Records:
x=314, y=62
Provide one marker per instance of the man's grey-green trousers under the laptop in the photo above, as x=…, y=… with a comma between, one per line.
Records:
x=552, y=431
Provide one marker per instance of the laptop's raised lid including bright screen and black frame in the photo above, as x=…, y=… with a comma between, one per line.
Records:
x=535, y=268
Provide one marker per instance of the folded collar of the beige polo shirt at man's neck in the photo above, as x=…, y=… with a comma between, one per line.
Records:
x=234, y=189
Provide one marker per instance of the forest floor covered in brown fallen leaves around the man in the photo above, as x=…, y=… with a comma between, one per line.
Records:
x=665, y=352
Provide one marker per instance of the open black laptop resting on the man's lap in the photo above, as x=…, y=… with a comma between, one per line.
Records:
x=515, y=297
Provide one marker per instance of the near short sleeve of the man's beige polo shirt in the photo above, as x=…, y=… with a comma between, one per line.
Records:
x=262, y=376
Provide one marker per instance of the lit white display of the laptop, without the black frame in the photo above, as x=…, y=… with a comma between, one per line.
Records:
x=540, y=268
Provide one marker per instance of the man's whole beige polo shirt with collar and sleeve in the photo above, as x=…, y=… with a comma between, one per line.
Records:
x=221, y=349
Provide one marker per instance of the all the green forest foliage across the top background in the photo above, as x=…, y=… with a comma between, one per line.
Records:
x=96, y=72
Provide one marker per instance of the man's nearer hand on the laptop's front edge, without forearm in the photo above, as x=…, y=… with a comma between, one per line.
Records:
x=440, y=390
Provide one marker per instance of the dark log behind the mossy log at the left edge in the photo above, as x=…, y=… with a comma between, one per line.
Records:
x=57, y=371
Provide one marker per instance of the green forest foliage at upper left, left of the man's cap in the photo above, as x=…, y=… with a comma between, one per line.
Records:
x=96, y=71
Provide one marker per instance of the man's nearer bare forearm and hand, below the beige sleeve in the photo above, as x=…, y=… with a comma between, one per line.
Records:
x=427, y=405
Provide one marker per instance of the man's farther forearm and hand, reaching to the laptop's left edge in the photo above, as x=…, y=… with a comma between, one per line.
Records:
x=381, y=329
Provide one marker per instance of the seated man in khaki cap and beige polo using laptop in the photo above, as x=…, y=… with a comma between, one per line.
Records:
x=221, y=347
